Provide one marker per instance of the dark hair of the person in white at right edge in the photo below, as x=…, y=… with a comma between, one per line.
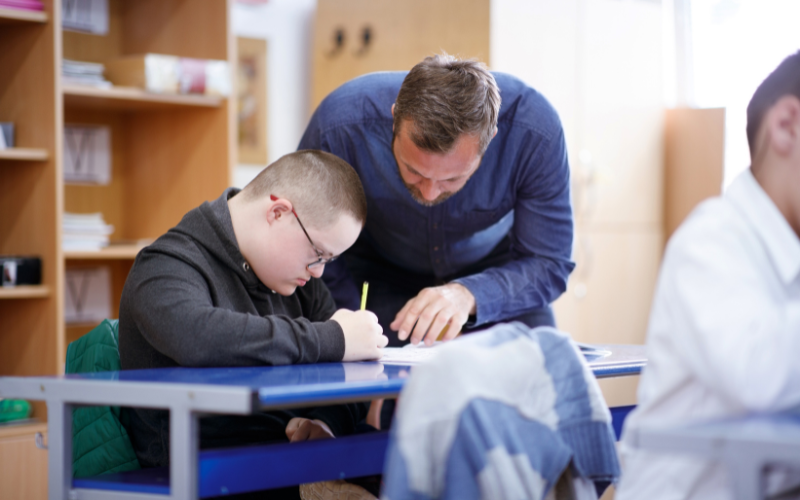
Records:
x=785, y=80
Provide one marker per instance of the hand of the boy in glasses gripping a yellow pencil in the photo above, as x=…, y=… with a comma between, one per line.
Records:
x=363, y=336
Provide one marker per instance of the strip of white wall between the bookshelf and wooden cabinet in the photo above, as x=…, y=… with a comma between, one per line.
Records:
x=287, y=25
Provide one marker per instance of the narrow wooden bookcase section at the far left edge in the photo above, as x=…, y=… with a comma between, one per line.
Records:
x=32, y=339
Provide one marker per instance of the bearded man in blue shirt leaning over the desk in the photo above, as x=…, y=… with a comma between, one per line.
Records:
x=469, y=217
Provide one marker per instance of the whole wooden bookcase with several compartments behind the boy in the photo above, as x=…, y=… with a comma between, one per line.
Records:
x=169, y=153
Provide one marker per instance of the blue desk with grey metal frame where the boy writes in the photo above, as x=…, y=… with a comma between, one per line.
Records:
x=189, y=393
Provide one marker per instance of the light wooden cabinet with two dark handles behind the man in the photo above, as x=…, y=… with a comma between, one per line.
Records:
x=400, y=35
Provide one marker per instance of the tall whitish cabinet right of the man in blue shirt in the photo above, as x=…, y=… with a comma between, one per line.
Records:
x=600, y=64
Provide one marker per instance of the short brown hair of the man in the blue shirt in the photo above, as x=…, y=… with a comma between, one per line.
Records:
x=443, y=98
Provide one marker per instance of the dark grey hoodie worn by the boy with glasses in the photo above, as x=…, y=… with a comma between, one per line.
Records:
x=191, y=300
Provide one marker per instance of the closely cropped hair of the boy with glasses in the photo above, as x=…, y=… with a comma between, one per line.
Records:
x=321, y=187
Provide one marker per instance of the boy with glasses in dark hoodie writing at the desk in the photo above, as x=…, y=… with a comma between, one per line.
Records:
x=236, y=283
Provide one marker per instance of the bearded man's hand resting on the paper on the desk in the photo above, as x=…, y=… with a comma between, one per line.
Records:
x=432, y=310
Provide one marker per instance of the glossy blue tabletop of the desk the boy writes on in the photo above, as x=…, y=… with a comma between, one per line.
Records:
x=268, y=387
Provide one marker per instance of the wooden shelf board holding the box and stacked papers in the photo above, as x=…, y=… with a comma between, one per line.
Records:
x=131, y=99
